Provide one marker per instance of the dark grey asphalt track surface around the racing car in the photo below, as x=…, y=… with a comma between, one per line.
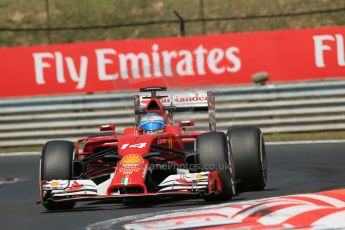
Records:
x=293, y=169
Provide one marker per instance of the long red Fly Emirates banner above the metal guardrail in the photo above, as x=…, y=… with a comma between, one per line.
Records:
x=197, y=61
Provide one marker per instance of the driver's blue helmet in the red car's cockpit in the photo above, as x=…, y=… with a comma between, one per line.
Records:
x=152, y=123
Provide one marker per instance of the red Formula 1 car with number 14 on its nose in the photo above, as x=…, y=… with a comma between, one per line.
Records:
x=171, y=162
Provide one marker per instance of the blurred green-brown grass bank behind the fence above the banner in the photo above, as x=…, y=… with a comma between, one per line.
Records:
x=32, y=13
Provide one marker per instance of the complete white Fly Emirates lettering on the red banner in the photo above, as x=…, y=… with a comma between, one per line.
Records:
x=112, y=65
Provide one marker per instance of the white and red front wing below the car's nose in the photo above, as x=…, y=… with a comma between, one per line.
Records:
x=85, y=190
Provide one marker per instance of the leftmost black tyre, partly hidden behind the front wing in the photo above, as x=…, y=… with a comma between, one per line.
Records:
x=56, y=163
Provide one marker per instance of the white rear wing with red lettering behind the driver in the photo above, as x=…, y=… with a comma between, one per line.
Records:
x=179, y=102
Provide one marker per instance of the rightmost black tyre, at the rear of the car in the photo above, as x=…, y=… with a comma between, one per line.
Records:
x=248, y=150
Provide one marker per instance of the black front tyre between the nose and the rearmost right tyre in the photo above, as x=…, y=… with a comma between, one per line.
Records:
x=212, y=155
